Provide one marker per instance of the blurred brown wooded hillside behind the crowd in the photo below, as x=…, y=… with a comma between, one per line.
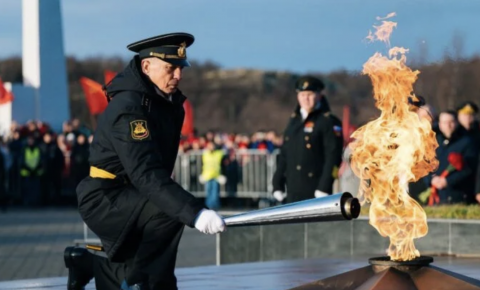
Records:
x=245, y=100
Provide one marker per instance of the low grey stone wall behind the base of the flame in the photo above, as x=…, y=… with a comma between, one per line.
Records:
x=338, y=239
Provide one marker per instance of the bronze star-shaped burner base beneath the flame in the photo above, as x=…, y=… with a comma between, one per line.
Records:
x=384, y=273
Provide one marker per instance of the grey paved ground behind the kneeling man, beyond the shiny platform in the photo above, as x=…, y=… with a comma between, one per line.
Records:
x=32, y=243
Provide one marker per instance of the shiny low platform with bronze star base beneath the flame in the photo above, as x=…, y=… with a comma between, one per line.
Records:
x=281, y=275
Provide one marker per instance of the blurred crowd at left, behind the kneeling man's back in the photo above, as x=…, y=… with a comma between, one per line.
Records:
x=41, y=167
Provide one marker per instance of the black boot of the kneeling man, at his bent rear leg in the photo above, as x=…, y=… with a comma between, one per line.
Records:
x=80, y=267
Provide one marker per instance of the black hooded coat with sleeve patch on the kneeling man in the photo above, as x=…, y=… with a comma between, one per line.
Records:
x=136, y=140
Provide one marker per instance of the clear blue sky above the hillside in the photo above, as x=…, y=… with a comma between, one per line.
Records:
x=293, y=35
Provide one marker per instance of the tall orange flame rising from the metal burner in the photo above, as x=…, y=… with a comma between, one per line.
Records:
x=393, y=150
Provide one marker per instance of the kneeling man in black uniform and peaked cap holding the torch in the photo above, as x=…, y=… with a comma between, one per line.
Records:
x=130, y=200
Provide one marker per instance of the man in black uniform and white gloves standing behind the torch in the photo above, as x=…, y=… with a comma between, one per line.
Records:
x=312, y=149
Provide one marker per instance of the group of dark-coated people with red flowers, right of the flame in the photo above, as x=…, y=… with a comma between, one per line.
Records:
x=457, y=179
